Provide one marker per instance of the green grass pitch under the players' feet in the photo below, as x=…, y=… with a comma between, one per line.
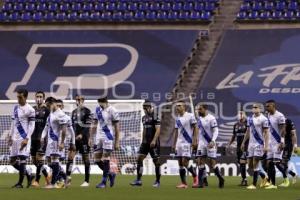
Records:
x=124, y=191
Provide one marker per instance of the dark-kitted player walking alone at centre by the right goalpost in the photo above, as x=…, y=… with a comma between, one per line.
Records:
x=150, y=144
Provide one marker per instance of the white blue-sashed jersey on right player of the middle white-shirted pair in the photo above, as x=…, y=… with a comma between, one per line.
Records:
x=206, y=125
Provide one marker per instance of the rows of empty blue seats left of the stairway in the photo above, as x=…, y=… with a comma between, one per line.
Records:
x=108, y=11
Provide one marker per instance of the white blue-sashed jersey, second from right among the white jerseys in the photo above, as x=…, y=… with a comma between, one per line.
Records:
x=257, y=124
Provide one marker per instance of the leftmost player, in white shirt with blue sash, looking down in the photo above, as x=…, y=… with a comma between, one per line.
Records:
x=22, y=128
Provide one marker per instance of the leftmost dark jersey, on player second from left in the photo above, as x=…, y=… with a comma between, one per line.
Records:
x=41, y=115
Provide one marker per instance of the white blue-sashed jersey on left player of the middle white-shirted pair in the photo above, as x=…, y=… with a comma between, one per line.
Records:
x=184, y=124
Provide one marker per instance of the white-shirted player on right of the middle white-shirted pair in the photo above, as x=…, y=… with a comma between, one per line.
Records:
x=207, y=148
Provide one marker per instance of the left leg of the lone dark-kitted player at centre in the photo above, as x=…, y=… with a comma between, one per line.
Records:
x=143, y=152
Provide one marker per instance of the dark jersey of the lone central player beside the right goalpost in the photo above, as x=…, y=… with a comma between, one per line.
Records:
x=149, y=123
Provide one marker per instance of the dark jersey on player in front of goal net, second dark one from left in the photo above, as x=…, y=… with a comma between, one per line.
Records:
x=81, y=120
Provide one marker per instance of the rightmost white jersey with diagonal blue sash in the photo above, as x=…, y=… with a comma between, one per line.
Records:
x=275, y=121
